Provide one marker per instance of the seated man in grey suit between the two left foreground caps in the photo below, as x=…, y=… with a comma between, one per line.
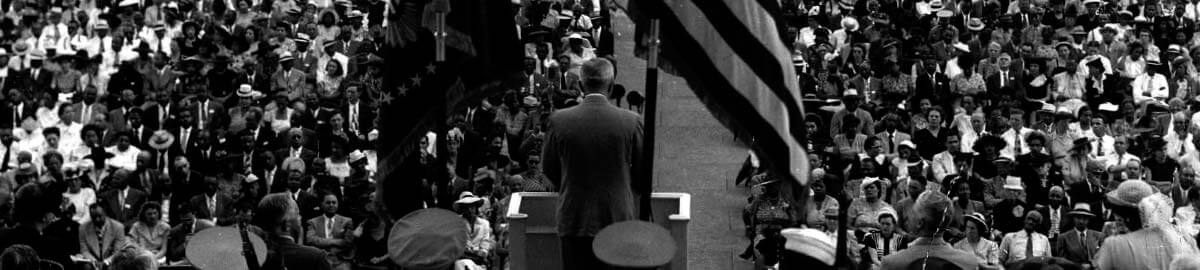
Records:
x=332, y=233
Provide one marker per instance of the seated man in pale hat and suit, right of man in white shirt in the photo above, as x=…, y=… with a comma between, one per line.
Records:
x=1079, y=244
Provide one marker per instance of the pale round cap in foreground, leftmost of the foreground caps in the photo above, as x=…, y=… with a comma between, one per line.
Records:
x=213, y=249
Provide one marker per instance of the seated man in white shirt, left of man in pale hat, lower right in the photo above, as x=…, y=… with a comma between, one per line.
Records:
x=1025, y=244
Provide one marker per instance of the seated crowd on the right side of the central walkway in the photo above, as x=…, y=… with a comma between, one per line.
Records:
x=1059, y=129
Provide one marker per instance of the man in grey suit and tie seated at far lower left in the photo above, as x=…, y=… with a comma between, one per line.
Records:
x=101, y=238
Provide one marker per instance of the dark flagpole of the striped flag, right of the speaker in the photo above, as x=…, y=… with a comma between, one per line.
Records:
x=651, y=116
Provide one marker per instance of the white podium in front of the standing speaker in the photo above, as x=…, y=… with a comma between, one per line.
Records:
x=533, y=233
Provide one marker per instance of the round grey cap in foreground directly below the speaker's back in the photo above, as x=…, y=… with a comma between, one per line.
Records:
x=634, y=244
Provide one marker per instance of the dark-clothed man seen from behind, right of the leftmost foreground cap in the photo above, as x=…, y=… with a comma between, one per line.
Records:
x=273, y=217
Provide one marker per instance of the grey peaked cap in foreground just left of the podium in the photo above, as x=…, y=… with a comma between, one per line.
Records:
x=428, y=239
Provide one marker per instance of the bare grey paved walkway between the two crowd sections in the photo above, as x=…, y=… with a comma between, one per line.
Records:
x=695, y=155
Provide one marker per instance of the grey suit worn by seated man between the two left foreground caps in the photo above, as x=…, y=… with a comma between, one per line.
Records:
x=339, y=245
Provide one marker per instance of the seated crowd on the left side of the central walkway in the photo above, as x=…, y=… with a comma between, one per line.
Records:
x=127, y=128
